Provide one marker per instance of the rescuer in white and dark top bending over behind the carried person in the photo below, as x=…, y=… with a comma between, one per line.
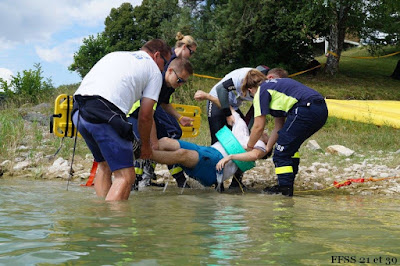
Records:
x=225, y=94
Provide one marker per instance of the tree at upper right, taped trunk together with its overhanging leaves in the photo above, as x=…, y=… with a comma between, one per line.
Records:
x=361, y=17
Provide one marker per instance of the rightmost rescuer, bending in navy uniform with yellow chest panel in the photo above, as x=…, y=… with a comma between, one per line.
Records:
x=299, y=112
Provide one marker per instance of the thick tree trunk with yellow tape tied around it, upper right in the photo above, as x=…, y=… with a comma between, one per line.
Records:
x=336, y=40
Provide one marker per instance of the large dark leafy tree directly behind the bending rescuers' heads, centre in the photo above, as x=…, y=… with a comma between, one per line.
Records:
x=247, y=33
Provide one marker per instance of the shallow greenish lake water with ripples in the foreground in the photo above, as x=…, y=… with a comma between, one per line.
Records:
x=43, y=223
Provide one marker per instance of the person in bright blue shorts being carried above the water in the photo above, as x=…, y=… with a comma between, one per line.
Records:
x=200, y=162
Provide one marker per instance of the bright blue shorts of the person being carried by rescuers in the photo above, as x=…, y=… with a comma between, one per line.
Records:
x=205, y=171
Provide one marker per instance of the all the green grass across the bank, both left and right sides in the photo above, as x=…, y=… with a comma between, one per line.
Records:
x=358, y=79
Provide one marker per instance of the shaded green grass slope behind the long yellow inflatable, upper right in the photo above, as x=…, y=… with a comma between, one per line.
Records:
x=363, y=79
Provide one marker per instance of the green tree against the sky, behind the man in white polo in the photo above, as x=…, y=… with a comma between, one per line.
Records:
x=126, y=29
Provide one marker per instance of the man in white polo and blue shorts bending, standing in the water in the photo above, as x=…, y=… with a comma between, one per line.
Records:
x=102, y=101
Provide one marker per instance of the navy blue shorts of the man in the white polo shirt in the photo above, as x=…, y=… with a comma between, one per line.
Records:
x=105, y=143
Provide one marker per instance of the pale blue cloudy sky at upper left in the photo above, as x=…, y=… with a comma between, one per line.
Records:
x=49, y=32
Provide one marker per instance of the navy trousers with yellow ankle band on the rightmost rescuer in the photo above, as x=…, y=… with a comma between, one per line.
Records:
x=300, y=124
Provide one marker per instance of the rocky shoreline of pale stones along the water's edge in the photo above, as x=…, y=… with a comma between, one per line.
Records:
x=314, y=176
